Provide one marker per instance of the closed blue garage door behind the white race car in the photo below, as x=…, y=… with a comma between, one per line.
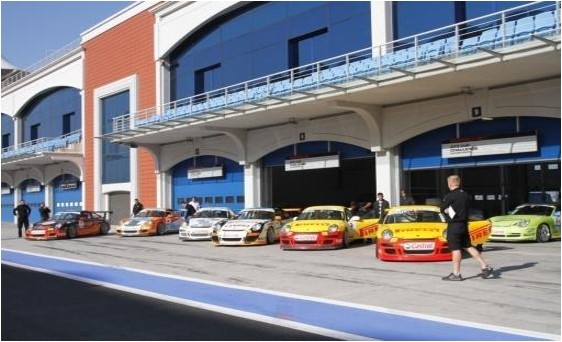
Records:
x=227, y=190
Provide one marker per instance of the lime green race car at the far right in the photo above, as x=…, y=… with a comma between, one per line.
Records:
x=528, y=222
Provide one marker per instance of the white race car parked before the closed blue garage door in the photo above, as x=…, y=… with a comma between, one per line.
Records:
x=200, y=225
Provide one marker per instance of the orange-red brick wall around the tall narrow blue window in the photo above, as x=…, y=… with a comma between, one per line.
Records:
x=120, y=52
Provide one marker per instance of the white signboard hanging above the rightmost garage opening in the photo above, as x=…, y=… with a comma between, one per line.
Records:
x=485, y=147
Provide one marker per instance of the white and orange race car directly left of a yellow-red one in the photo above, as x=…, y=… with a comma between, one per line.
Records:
x=256, y=226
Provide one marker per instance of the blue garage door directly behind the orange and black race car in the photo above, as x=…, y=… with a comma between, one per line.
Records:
x=65, y=196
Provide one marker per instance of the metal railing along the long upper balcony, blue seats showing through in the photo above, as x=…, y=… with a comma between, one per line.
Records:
x=492, y=35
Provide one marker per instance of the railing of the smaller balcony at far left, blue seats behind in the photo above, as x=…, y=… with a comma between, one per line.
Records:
x=46, y=144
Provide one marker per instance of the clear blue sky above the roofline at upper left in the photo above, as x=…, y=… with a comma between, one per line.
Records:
x=31, y=30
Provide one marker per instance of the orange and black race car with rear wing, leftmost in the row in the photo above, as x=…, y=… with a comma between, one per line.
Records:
x=70, y=224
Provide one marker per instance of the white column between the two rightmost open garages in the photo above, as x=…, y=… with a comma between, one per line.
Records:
x=388, y=175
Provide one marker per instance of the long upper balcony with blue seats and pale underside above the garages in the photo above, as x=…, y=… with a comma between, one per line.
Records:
x=489, y=51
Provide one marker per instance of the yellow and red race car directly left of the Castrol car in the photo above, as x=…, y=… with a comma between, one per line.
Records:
x=322, y=227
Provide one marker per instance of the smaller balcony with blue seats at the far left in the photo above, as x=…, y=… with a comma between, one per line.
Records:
x=42, y=151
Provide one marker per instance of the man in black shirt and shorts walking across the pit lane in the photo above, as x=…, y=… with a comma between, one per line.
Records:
x=456, y=207
